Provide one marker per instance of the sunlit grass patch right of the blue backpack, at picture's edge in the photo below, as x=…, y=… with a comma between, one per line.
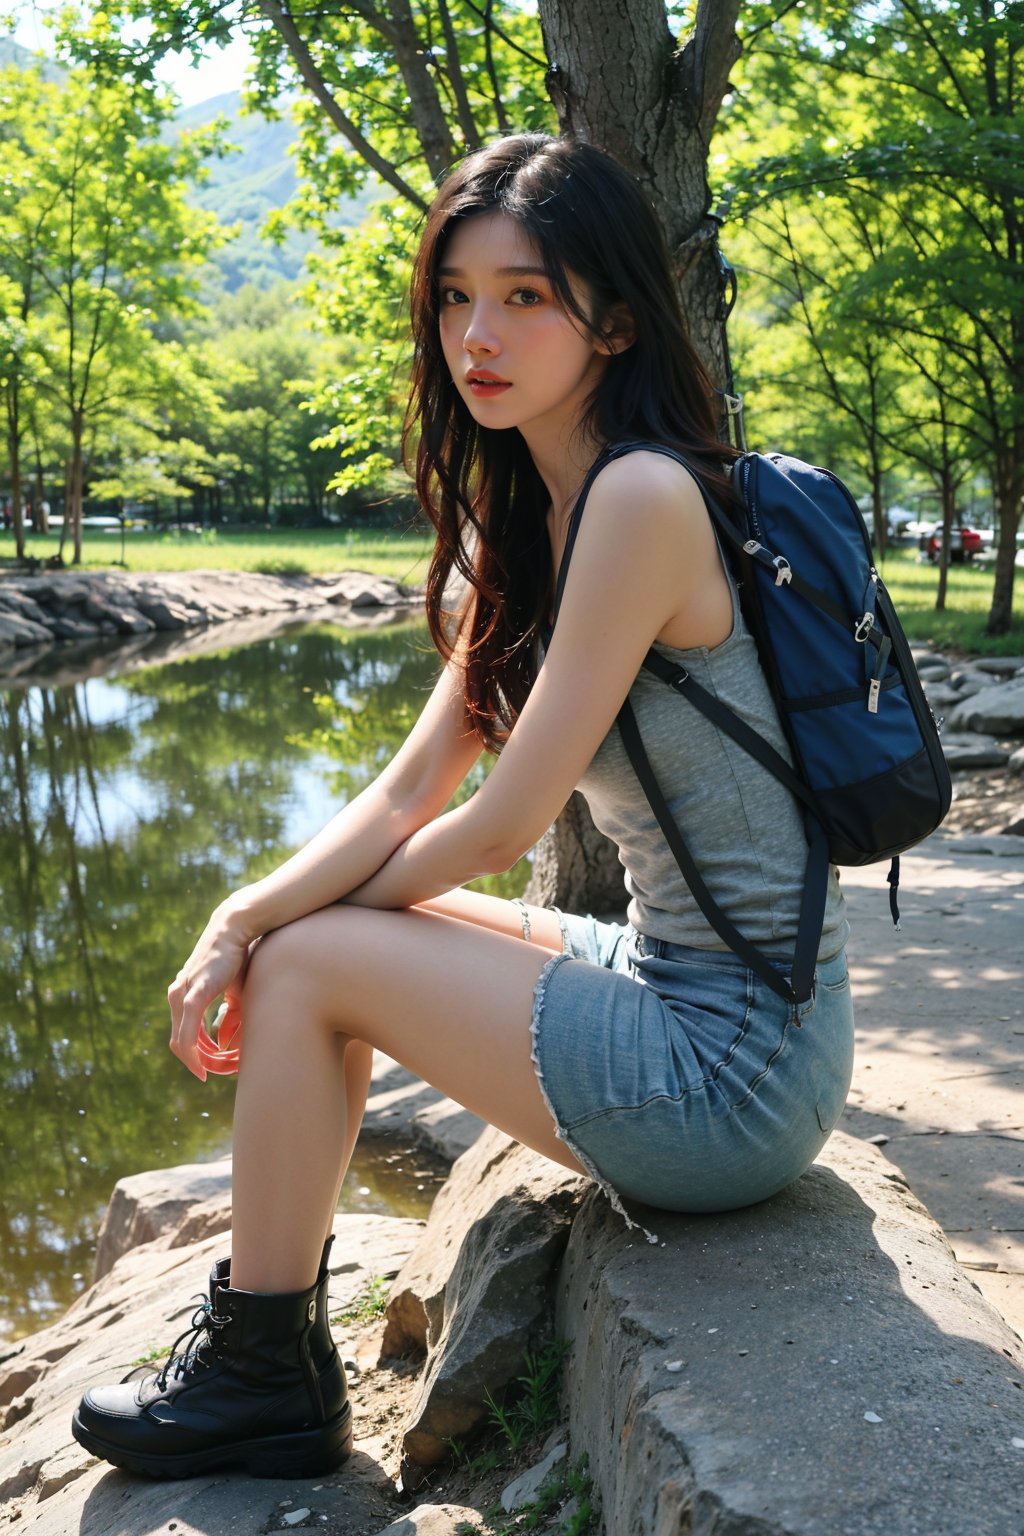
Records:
x=960, y=626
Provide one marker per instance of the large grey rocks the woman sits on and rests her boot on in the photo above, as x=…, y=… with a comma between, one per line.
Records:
x=814, y=1366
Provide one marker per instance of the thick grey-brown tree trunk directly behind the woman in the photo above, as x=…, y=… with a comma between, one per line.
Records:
x=618, y=82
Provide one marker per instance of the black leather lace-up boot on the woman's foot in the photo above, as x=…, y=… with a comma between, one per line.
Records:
x=259, y=1385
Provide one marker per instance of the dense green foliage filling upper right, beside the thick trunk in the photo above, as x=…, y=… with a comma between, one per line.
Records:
x=874, y=176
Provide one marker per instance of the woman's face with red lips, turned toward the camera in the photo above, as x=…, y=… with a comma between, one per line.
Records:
x=515, y=354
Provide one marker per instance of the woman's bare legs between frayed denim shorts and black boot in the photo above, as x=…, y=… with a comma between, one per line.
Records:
x=443, y=995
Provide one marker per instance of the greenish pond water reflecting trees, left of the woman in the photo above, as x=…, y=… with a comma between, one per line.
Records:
x=130, y=807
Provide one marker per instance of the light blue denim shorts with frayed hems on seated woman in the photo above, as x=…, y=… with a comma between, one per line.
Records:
x=678, y=1078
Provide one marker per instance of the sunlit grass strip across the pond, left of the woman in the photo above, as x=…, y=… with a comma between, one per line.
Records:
x=277, y=552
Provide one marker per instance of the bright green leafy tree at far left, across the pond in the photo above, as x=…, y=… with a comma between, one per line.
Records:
x=114, y=243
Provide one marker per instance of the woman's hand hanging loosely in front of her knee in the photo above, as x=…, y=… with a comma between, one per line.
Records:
x=216, y=968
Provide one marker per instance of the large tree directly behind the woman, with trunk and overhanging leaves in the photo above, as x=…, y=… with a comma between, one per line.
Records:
x=401, y=93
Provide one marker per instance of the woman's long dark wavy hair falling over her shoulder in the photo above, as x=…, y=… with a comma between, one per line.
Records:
x=589, y=219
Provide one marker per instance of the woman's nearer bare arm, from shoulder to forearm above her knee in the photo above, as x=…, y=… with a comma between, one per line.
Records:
x=646, y=566
